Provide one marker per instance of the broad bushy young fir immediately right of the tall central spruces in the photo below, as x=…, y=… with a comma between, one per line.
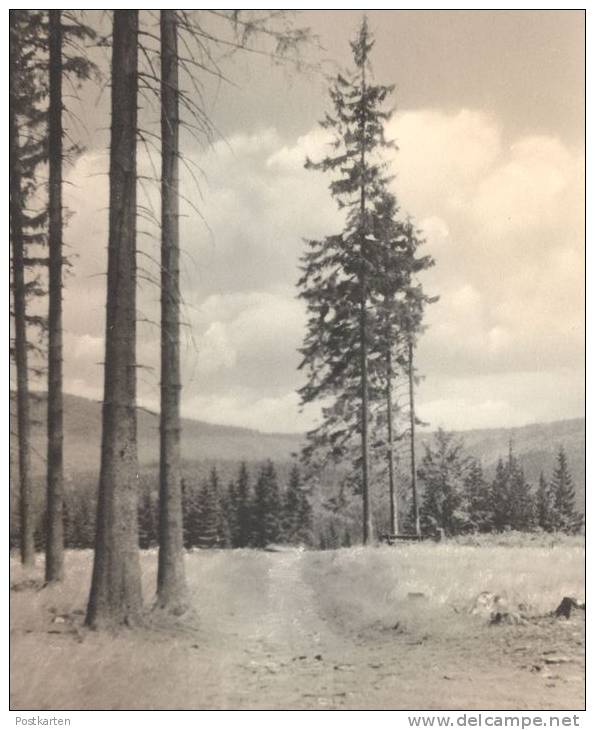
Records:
x=442, y=471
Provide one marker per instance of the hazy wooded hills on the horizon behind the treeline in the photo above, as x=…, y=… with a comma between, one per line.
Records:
x=535, y=445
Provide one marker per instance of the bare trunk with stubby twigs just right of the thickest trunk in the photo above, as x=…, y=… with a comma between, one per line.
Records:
x=171, y=579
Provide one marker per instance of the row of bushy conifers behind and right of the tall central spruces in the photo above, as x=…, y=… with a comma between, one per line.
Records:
x=457, y=498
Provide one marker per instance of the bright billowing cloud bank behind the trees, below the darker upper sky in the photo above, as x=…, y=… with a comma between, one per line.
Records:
x=504, y=223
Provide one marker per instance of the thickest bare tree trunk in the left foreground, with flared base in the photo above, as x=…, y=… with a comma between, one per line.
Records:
x=115, y=597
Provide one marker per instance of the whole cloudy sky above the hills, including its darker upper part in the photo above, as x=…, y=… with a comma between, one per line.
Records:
x=490, y=124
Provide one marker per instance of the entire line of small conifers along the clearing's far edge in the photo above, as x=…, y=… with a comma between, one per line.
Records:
x=266, y=504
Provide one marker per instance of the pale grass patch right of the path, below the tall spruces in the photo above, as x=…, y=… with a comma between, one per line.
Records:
x=368, y=588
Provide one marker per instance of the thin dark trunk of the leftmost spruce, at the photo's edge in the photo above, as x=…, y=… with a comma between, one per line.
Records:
x=27, y=527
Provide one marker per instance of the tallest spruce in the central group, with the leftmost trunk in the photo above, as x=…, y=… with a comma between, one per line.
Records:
x=337, y=269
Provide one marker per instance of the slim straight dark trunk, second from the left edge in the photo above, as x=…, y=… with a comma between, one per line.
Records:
x=54, y=560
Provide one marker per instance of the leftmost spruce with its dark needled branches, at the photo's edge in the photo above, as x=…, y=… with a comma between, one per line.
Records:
x=28, y=149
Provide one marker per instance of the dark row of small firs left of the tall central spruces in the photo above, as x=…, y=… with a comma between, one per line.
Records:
x=254, y=509
